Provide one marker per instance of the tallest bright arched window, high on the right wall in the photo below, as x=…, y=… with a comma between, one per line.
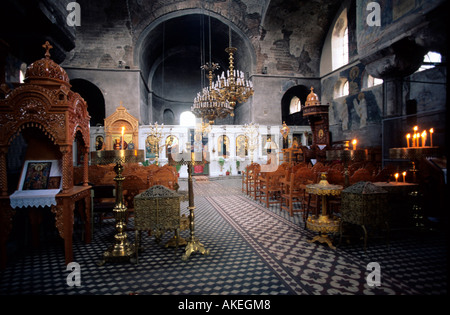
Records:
x=339, y=42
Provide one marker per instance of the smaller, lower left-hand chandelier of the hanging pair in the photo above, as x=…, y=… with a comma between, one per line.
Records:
x=206, y=106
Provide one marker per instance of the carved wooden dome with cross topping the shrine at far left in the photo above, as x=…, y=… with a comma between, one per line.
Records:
x=46, y=69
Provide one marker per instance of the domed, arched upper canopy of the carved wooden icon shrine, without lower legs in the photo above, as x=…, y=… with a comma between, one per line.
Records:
x=45, y=101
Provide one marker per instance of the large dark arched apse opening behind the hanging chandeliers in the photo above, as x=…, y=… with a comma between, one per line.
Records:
x=172, y=48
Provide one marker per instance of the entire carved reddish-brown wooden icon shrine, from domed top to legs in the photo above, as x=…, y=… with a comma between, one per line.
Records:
x=45, y=101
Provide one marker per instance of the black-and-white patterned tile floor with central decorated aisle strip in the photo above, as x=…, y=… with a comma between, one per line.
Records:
x=254, y=250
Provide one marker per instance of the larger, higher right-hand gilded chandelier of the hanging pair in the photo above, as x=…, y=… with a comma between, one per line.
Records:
x=233, y=87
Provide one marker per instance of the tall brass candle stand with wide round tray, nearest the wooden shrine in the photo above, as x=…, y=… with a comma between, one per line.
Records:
x=121, y=250
